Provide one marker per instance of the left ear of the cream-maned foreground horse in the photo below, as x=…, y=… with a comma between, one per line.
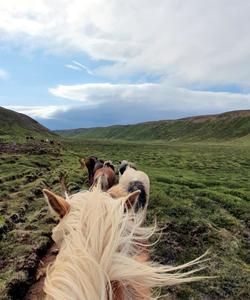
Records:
x=57, y=203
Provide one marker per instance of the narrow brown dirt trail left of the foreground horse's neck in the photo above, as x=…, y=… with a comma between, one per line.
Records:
x=35, y=292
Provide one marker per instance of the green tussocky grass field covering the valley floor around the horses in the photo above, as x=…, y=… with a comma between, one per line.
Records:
x=199, y=195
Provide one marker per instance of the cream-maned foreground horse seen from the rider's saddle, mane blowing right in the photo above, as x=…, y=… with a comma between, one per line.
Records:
x=102, y=250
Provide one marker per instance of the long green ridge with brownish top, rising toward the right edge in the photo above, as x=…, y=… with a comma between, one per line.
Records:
x=225, y=126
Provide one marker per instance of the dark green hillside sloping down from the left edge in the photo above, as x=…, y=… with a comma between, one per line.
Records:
x=20, y=125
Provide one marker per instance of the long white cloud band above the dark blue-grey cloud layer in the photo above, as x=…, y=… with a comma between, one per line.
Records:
x=156, y=96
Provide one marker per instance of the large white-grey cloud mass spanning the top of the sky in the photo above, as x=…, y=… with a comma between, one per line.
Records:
x=185, y=42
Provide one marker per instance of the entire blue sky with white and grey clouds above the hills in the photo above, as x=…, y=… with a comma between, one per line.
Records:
x=88, y=63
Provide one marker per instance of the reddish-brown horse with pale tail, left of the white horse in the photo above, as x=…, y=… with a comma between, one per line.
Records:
x=105, y=175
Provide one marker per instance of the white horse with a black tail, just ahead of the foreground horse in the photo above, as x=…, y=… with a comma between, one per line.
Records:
x=130, y=181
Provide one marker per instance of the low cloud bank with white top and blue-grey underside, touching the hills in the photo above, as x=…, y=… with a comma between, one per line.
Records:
x=105, y=104
